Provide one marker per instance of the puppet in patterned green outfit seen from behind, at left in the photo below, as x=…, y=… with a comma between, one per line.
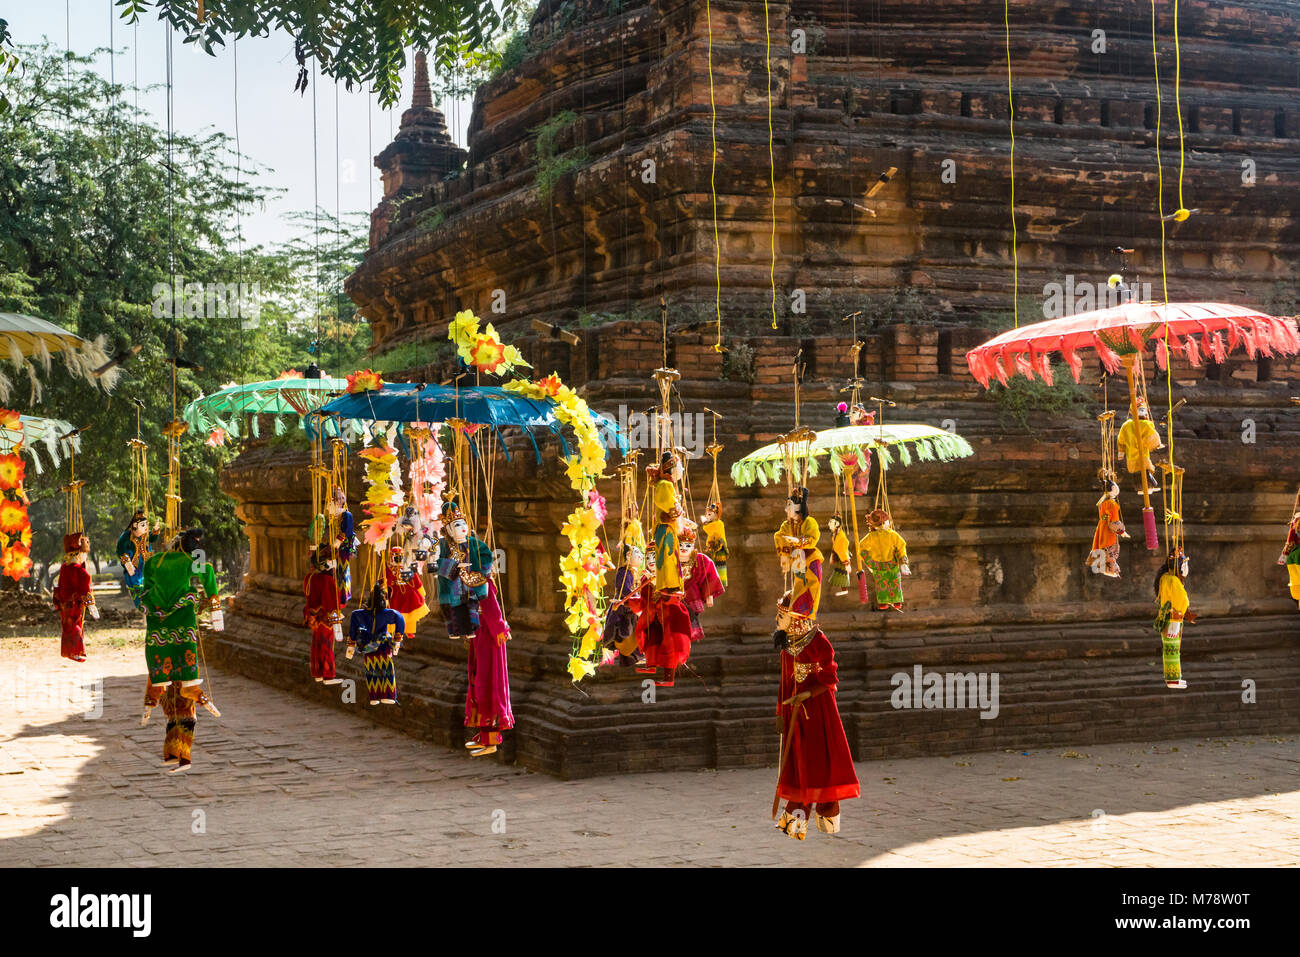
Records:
x=174, y=592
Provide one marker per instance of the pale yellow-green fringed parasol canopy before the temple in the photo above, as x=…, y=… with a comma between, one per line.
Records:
x=905, y=439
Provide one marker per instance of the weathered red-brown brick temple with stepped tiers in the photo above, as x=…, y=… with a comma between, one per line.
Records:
x=583, y=198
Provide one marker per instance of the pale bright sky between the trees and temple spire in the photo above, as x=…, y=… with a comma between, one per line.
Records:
x=275, y=123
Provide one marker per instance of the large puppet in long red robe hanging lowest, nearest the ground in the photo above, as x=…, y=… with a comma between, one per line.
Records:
x=817, y=767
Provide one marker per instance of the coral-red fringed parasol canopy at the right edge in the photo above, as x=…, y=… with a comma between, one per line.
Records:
x=1194, y=330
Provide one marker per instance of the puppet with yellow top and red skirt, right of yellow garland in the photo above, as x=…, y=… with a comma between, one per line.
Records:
x=664, y=623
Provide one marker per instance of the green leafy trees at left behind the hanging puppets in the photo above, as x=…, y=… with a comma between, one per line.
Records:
x=102, y=214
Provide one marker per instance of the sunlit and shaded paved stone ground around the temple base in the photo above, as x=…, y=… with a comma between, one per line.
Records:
x=279, y=781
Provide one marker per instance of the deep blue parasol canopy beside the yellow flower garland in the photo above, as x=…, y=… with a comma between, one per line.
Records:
x=489, y=406
